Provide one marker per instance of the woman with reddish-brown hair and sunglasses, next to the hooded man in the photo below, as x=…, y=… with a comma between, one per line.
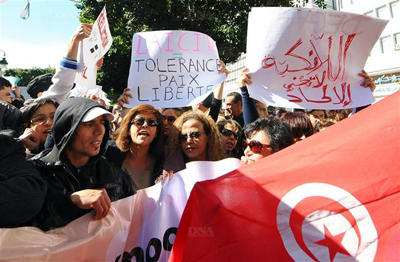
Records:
x=140, y=141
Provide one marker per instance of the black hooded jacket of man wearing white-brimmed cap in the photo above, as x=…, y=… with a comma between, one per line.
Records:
x=63, y=178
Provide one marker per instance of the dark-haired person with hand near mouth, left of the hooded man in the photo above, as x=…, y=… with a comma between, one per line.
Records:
x=37, y=119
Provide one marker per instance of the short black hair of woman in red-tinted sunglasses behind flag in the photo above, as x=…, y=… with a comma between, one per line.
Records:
x=277, y=130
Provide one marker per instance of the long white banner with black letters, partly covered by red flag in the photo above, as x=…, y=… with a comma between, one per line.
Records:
x=141, y=226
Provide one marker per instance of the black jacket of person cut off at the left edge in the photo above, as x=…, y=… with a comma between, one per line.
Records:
x=22, y=190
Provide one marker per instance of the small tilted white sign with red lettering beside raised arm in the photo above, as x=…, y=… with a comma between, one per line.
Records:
x=92, y=49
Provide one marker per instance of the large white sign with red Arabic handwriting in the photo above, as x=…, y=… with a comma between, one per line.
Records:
x=309, y=58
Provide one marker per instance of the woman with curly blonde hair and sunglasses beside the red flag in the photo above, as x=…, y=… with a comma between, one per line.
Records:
x=197, y=139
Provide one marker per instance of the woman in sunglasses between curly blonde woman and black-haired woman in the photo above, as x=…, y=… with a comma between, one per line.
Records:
x=230, y=131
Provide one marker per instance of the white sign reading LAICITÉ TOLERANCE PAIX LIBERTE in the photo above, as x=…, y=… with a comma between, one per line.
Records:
x=172, y=68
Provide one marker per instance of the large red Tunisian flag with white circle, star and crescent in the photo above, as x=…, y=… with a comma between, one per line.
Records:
x=332, y=197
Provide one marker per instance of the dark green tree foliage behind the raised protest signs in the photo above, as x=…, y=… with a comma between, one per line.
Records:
x=223, y=20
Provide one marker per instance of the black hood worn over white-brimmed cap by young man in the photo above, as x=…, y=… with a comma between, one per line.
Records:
x=66, y=120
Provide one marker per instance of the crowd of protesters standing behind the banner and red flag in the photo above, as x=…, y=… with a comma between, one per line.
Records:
x=63, y=155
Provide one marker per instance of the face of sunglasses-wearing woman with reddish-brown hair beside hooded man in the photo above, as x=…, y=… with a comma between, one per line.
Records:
x=144, y=129
